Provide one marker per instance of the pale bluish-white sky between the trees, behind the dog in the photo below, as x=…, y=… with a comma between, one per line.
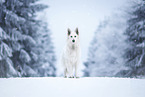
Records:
x=84, y=14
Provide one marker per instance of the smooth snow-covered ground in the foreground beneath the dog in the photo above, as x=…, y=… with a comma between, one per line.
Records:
x=66, y=87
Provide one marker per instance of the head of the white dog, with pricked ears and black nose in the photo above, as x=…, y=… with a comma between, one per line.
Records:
x=73, y=37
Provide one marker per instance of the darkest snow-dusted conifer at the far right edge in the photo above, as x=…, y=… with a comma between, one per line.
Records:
x=136, y=38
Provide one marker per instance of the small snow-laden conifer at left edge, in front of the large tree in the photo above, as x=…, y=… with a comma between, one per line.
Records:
x=6, y=65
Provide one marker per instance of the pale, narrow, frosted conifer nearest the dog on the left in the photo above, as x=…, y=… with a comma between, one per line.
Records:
x=45, y=67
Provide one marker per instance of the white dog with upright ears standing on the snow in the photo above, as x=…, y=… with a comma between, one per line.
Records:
x=71, y=54
